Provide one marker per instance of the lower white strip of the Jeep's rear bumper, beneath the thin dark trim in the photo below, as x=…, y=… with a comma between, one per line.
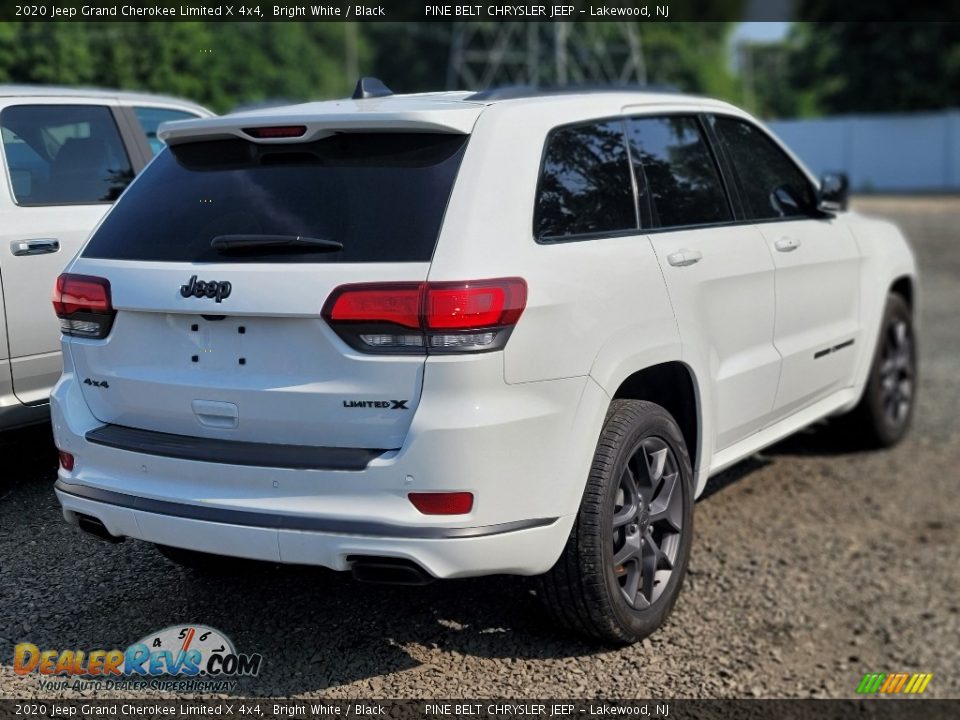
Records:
x=523, y=548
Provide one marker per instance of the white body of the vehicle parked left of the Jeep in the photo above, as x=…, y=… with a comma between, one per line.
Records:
x=37, y=239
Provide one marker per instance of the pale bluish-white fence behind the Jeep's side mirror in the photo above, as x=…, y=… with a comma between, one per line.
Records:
x=917, y=152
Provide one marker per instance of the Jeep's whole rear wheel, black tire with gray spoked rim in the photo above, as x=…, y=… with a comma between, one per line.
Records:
x=586, y=591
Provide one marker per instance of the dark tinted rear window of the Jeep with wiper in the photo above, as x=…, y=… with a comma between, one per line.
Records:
x=382, y=196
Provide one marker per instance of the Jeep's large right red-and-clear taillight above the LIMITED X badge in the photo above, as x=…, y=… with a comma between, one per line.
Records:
x=417, y=318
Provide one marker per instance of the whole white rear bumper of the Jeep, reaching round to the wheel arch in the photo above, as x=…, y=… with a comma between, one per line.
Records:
x=524, y=451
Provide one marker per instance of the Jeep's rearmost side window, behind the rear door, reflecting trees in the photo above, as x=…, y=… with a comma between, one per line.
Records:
x=585, y=185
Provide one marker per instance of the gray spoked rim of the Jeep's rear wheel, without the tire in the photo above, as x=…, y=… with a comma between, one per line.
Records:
x=647, y=522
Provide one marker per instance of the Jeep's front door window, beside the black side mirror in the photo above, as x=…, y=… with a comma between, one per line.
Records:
x=771, y=183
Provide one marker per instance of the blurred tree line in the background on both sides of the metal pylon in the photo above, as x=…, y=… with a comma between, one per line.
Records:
x=822, y=67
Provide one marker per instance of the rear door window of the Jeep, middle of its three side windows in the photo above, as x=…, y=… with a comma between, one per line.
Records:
x=677, y=179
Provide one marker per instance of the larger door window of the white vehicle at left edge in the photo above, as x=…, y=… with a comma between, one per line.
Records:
x=63, y=154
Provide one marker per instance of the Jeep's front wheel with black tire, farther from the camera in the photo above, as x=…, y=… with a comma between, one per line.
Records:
x=885, y=411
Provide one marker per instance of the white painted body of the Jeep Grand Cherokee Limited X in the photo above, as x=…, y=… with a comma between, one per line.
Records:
x=516, y=427
